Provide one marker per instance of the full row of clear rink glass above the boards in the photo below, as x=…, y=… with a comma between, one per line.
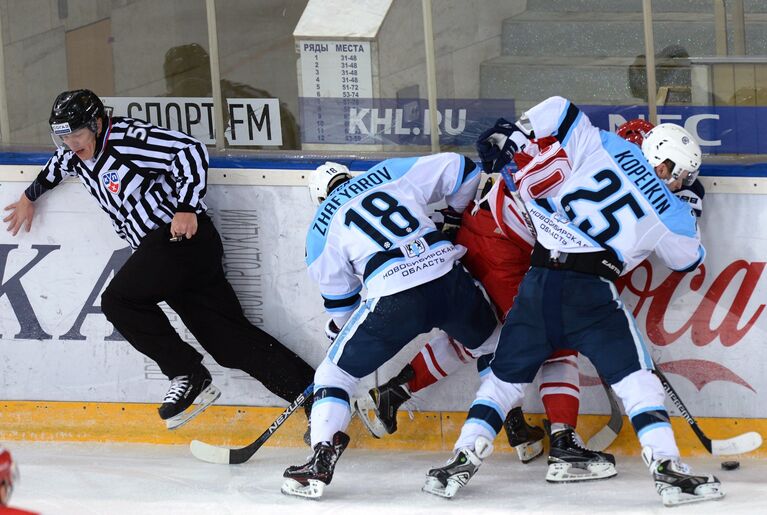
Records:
x=493, y=58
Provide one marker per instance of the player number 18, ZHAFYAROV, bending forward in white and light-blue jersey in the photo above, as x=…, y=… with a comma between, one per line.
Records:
x=374, y=230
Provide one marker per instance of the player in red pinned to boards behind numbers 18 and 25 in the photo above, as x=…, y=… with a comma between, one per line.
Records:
x=498, y=254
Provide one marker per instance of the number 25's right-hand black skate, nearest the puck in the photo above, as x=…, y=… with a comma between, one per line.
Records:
x=676, y=485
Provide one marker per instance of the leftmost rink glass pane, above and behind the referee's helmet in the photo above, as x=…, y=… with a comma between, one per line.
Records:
x=114, y=48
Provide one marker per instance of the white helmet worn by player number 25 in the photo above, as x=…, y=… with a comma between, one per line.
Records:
x=669, y=141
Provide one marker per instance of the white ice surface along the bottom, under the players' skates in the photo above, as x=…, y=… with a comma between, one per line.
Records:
x=132, y=479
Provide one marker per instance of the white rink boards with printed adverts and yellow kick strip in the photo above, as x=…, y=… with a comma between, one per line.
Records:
x=65, y=374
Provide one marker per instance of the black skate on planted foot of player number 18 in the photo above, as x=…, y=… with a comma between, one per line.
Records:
x=309, y=480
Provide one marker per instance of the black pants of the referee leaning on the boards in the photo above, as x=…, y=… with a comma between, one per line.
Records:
x=189, y=276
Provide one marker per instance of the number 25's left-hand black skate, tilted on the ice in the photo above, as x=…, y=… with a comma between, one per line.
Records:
x=446, y=481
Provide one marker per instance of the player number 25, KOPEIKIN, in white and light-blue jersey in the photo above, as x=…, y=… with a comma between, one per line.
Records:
x=608, y=216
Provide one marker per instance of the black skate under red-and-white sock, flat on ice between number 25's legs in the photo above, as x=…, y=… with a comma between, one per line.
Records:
x=570, y=460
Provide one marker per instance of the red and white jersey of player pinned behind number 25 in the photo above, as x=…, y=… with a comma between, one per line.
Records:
x=543, y=169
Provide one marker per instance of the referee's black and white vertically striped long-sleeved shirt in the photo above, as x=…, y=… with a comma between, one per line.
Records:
x=142, y=175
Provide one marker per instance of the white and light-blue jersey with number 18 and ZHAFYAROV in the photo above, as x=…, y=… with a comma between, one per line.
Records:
x=375, y=229
